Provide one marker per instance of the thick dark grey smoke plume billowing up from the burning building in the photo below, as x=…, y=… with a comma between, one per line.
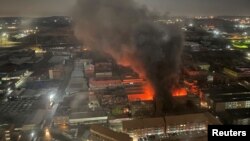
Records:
x=128, y=33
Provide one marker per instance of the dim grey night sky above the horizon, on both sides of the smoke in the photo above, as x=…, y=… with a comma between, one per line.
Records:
x=174, y=7
